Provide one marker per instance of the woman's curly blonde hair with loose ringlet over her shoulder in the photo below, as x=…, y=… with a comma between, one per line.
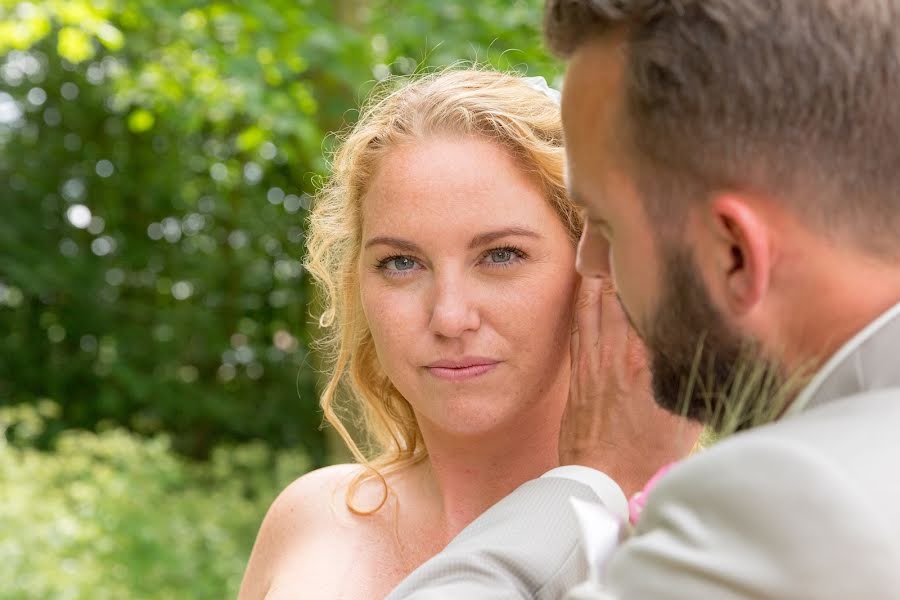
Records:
x=499, y=107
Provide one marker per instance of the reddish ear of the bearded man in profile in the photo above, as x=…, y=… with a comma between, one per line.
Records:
x=743, y=258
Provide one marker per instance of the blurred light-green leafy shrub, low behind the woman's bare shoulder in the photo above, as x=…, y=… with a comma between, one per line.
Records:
x=114, y=515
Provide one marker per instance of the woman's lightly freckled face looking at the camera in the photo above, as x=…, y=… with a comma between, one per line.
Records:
x=436, y=297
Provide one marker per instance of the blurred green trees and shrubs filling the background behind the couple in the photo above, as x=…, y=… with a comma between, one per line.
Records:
x=157, y=159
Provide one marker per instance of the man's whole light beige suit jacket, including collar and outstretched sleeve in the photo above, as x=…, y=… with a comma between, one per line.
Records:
x=808, y=507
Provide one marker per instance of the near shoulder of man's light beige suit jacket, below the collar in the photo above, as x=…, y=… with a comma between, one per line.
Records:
x=784, y=511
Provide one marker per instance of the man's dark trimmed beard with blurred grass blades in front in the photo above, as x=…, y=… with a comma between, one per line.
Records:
x=701, y=367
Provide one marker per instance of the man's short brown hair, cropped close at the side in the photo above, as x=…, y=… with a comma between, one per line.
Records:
x=798, y=99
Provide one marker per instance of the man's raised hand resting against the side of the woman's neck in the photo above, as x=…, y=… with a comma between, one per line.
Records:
x=611, y=422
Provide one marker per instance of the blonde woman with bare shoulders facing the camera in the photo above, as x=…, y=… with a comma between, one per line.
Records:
x=444, y=249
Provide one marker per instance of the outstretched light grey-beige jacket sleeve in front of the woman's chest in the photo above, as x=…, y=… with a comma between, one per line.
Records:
x=525, y=546
